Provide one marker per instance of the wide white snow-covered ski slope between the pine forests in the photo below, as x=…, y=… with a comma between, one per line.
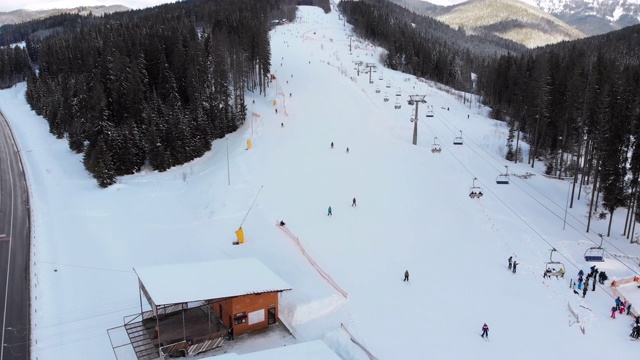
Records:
x=413, y=213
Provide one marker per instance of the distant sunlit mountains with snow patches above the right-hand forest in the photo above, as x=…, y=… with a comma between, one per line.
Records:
x=531, y=22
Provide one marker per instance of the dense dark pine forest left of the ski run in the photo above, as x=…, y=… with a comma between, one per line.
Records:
x=152, y=87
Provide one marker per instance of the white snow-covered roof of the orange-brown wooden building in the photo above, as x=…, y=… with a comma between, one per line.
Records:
x=179, y=283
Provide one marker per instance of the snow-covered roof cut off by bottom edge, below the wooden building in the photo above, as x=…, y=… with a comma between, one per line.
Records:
x=311, y=350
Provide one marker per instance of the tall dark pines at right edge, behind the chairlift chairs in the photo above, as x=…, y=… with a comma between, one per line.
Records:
x=578, y=104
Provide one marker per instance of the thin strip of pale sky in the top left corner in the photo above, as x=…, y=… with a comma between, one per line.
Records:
x=9, y=5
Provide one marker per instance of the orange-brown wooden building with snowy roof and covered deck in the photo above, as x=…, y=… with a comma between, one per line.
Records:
x=195, y=305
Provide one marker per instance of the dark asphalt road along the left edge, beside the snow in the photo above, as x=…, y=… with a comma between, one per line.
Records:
x=14, y=251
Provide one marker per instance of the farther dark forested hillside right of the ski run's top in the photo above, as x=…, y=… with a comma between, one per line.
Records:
x=421, y=45
